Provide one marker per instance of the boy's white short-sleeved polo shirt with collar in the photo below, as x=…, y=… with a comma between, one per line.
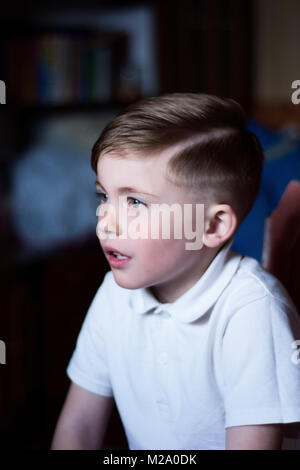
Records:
x=223, y=354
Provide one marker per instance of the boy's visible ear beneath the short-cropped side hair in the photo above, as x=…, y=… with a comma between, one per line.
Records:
x=220, y=224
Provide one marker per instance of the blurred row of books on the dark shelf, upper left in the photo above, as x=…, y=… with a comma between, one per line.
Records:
x=63, y=67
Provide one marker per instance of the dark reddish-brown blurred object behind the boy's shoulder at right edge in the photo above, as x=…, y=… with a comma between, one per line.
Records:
x=281, y=247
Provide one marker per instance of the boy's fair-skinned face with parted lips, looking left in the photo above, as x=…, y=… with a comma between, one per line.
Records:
x=163, y=264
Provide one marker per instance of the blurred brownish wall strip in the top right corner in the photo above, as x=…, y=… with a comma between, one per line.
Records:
x=276, y=49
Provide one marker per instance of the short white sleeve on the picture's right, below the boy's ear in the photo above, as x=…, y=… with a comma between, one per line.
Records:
x=261, y=376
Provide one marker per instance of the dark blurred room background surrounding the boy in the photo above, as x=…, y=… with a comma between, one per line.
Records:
x=68, y=68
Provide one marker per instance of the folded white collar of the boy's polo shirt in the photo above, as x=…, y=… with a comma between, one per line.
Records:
x=195, y=302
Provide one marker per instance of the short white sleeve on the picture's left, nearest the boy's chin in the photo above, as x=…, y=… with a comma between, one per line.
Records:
x=88, y=366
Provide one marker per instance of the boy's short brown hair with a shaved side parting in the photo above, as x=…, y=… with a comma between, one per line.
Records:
x=219, y=156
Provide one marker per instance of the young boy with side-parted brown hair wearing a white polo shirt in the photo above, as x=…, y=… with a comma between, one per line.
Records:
x=194, y=343
